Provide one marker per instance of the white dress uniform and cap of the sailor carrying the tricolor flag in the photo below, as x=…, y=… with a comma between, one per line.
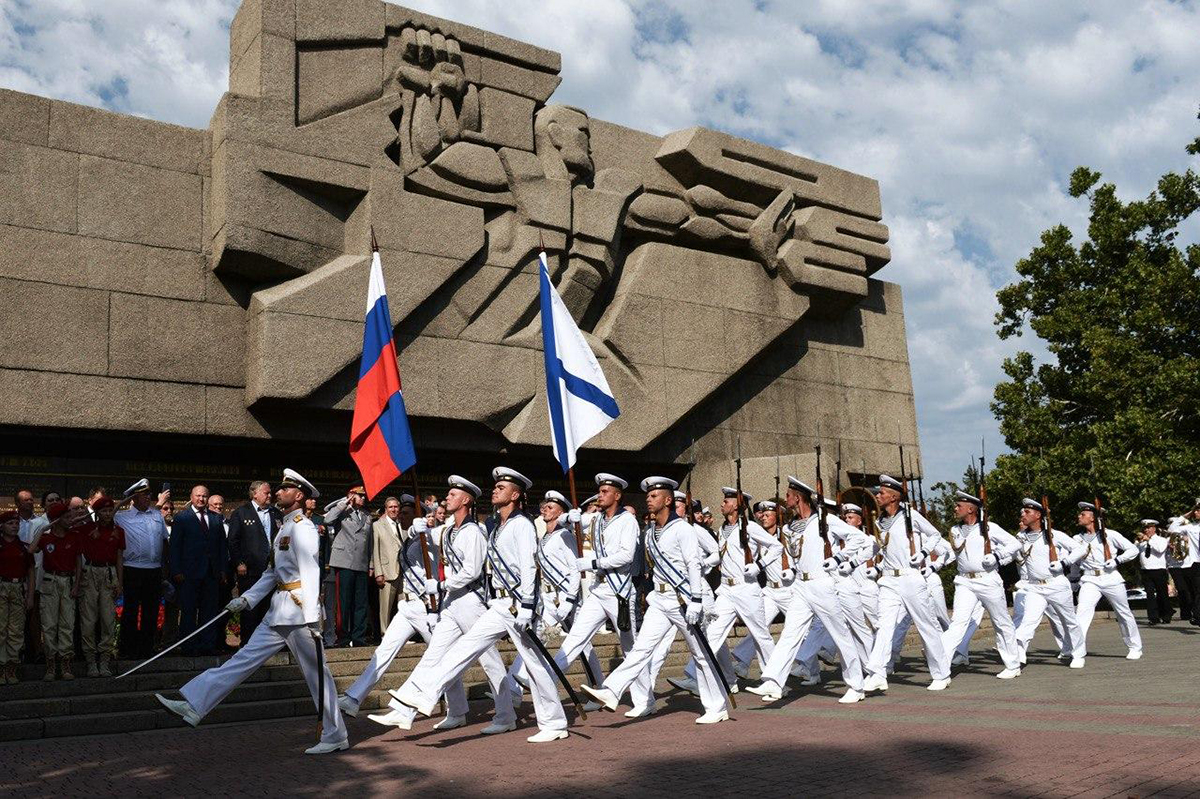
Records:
x=464, y=600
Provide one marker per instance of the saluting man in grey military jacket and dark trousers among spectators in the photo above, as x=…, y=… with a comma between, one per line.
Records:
x=350, y=557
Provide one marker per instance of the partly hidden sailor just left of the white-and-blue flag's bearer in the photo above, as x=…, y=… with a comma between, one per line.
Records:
x=560, y=579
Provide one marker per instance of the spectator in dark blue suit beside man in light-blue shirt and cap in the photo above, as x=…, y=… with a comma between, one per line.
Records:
x=199, y=562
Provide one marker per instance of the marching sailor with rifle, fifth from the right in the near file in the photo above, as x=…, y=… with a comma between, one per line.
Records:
x=814, y=596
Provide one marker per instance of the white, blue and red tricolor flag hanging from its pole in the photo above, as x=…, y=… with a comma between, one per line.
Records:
x=381, y=442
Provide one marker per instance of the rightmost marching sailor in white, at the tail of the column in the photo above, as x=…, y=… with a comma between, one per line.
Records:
x=1105, y=551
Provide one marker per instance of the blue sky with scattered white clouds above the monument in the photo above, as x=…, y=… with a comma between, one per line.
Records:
x=971, y=116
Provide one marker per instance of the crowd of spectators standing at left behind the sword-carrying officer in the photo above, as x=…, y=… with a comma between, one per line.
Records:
x=104, y=579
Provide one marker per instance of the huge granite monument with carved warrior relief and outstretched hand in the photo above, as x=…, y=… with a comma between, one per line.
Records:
x=200, y=295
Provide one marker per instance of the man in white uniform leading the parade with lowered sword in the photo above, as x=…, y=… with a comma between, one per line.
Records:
x=293, y=582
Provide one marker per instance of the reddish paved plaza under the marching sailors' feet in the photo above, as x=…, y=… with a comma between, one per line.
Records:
x=1117, y=729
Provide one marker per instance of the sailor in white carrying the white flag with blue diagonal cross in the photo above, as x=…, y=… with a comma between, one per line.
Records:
x=615, y=536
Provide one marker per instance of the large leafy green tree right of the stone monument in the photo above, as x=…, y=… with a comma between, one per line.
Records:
x=1115, y=411
